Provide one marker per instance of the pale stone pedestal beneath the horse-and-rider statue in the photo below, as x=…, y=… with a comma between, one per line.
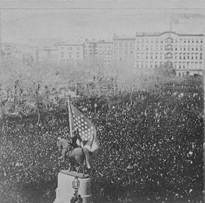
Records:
x=65, y=192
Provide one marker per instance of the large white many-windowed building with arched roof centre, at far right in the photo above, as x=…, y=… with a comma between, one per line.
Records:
x=183, y=51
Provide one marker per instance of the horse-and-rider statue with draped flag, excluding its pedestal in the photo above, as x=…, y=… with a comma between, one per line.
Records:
x=82, y=140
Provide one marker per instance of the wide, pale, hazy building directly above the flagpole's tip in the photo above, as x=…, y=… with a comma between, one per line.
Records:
x=69, y=53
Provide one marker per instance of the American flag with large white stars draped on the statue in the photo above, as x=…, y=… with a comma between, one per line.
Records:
x=86, y=128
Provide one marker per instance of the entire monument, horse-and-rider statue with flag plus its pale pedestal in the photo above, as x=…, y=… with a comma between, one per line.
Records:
x=72, y=186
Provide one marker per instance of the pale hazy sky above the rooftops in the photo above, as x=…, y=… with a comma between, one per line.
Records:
x=101, y=21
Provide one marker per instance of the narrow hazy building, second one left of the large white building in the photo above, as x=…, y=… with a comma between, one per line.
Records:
x=104, y=52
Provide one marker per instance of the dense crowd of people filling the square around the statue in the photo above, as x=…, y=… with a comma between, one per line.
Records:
x=151, y=148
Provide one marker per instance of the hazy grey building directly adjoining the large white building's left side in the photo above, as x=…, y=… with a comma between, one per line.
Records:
x=124, y=49
